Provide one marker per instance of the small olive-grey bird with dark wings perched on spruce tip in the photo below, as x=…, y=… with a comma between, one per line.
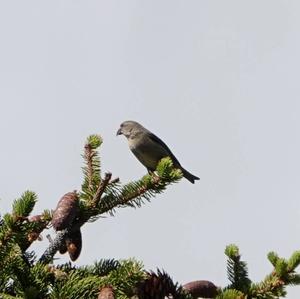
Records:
x=148, y=148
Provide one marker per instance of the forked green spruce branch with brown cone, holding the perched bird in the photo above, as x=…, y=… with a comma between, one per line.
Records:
x=102, y=195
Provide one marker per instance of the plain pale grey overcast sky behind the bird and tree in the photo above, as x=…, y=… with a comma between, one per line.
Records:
x=218, y=81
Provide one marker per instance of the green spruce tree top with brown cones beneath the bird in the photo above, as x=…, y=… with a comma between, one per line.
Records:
x=25, y=275
